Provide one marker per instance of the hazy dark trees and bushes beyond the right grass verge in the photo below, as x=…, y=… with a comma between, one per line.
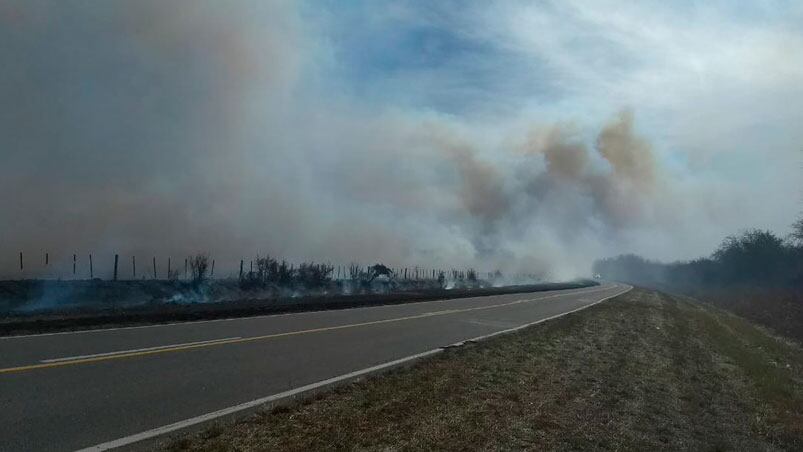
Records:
x=756, y=274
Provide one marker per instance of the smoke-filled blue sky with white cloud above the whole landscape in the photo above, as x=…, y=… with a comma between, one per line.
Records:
x=530, y=136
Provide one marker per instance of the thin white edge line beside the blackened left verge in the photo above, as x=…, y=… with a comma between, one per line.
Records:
x=229, y=319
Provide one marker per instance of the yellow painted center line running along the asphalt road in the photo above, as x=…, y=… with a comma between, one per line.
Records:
x=272, y=336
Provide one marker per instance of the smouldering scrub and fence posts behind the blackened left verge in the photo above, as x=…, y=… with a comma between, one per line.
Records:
x=263, y=278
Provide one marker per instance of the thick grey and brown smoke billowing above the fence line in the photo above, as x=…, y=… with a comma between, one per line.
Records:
x=166, y=128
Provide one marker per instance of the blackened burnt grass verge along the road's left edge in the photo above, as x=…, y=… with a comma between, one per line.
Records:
x=108, y=303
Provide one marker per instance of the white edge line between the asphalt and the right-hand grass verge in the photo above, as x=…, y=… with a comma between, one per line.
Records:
x=148, y=434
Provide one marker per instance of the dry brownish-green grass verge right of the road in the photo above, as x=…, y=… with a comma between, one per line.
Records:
x=643, y=371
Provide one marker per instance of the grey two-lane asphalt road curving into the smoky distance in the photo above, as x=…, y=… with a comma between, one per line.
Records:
x=68, y=391
